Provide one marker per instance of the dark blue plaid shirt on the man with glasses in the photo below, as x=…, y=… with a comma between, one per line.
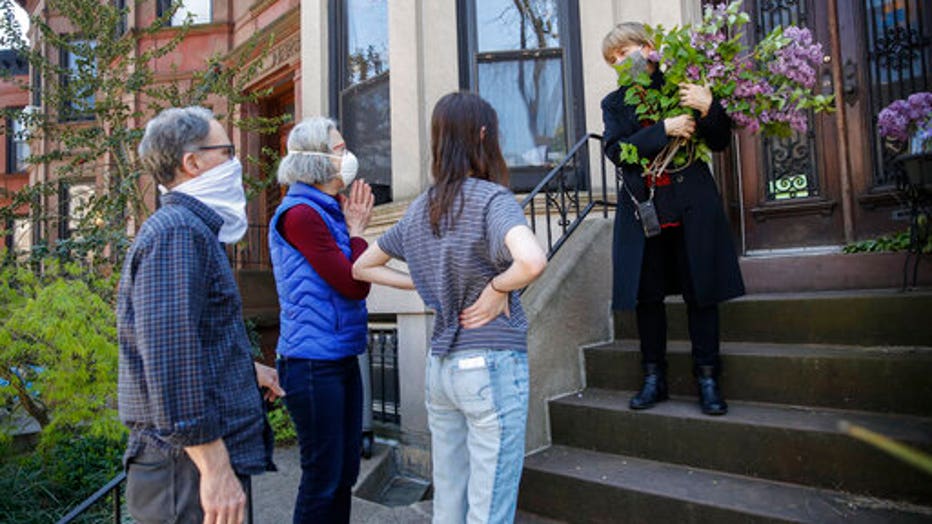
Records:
x=186, y=371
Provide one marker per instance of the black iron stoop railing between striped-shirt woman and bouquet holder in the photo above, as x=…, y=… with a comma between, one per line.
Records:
x=563, y=189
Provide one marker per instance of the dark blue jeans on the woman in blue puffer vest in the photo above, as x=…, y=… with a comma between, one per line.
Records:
x=324, y=398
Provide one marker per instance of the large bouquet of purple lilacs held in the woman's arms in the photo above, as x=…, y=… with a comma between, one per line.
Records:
x=767, y=89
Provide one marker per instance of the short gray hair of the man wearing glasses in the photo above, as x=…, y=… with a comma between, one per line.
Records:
x=172, y=133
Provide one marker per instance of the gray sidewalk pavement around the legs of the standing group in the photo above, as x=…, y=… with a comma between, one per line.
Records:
x=274, y=496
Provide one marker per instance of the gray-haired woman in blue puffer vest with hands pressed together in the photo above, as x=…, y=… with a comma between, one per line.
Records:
x=314, y=237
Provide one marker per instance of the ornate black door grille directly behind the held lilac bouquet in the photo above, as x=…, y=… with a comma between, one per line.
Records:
x=789, y=163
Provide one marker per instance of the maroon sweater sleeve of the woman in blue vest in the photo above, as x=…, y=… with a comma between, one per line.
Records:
x=306, y=231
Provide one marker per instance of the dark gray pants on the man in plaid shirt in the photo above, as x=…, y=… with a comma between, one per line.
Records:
x=165, y=487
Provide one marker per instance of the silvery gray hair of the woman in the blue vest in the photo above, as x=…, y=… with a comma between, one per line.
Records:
x=309, y=136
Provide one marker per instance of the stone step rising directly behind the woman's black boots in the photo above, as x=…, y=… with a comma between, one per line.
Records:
x=883, y=379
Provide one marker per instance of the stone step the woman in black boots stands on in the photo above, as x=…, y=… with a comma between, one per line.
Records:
x=790, y=444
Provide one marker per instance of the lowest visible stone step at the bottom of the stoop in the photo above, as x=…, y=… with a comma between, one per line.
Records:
x=590, y=487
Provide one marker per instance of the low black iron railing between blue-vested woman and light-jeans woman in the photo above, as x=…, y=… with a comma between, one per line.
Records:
x=383, y=373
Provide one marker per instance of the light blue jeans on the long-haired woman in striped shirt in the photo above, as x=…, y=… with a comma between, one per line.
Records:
x=477, y=412
